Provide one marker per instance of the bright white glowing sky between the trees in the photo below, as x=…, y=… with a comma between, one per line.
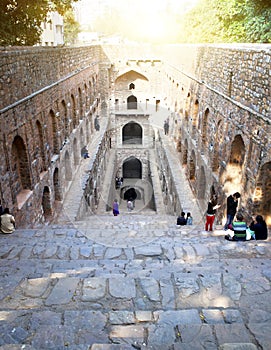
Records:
x=153, y=20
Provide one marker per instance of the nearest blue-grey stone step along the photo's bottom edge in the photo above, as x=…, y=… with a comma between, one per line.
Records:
x=175, y=329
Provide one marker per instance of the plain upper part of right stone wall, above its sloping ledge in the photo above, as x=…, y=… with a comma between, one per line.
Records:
x=240, y=72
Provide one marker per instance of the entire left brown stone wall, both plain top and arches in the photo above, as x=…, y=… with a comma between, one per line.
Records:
x=50, y=99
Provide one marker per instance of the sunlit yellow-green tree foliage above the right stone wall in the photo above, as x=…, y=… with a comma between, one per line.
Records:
x=228, y=21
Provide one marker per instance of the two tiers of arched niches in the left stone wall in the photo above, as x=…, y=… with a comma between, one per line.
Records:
x=61, y=130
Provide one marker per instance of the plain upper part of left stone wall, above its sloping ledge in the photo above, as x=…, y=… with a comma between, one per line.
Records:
x=25, y=71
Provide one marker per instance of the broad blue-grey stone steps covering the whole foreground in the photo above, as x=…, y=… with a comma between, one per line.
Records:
x=133, y=282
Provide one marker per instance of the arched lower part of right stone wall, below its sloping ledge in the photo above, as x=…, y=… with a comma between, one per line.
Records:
x=221, y=143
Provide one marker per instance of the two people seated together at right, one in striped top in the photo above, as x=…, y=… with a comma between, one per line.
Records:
x=239, y=231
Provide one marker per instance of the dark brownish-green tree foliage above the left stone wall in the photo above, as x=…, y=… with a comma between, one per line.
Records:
x=21, y=20
